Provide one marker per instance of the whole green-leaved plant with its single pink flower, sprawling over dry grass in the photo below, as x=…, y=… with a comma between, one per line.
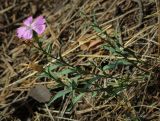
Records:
x=69, y=77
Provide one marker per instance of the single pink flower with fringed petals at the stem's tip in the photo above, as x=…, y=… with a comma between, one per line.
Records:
x=30, y=25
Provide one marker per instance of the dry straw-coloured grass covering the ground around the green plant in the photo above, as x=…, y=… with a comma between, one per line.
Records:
x=18, y=61
